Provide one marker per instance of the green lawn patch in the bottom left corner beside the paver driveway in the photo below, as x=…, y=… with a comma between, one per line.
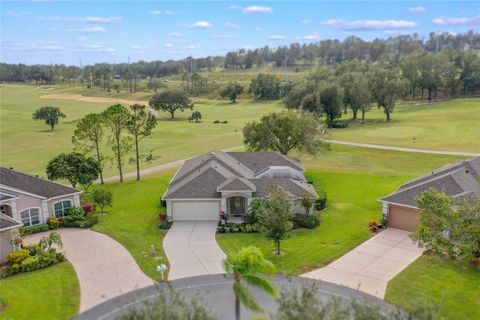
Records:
x=51, y=293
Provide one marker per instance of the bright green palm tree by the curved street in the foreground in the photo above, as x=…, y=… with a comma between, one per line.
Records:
x=246, y=265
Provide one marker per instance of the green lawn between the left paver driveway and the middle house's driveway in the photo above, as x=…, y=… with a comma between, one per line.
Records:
x=134, y=220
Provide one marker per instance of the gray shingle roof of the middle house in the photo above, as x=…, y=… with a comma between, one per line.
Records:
x=205, y=175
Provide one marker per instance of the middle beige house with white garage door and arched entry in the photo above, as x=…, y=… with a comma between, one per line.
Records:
x=229, y=181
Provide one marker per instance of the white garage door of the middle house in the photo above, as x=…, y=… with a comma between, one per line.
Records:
x=195, y=210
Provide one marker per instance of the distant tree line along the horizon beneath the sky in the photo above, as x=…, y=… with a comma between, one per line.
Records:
x=325, y=52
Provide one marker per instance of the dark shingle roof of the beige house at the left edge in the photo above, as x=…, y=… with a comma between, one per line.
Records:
x=32, y=184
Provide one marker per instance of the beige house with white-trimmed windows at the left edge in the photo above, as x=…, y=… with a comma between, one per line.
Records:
x=31, y=199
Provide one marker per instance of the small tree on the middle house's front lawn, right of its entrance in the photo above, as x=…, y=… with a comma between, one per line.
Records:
x=275, y=219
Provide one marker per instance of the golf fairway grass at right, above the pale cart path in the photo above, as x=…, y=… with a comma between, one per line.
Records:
x=451, y=125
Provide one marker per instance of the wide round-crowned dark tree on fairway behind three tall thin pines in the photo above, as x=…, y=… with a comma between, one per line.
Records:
x=170, y=101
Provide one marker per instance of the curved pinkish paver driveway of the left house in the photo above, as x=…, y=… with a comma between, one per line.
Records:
x=105, y=269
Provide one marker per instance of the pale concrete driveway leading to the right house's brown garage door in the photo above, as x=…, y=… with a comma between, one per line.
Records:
x=371, y=265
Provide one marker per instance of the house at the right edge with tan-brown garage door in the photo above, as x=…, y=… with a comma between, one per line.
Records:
x=460, y=180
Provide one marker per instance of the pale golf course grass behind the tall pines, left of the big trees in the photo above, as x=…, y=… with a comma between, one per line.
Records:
x=28, y=145
